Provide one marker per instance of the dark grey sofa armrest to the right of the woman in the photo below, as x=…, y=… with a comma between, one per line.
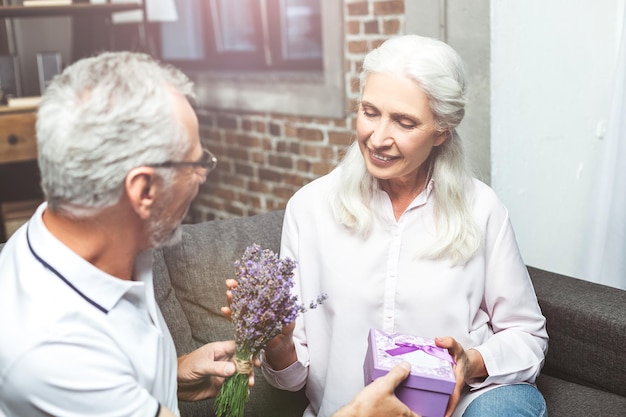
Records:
x=586, y=324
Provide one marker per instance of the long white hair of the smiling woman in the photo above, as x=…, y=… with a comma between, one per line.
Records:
x=438, y=71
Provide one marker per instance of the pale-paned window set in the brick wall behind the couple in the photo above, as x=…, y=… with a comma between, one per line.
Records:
x=245, y=35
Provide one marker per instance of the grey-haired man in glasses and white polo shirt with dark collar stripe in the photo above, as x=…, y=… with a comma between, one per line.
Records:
x=81, y=334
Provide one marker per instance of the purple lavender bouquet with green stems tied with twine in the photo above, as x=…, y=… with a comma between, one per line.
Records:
x=262, y=304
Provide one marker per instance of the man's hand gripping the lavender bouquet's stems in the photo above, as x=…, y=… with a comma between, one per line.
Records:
x=202, y=372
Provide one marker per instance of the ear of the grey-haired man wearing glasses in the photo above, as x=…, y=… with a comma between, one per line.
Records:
x=140, y=186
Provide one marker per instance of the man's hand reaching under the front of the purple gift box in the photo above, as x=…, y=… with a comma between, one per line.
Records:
x=378, y=399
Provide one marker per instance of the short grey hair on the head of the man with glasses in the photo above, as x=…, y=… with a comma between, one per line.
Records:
x=100, y=118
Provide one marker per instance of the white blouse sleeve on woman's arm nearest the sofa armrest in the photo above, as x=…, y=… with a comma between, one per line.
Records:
x=516, y=351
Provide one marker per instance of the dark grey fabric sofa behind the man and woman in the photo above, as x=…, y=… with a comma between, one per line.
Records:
x=585, y=370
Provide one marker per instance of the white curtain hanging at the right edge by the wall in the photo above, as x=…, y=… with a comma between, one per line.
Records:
x=606, y=240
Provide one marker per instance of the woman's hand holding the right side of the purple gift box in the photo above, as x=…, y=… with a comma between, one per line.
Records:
x=469, y=366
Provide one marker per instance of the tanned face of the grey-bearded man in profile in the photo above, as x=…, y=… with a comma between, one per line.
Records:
x=173, y=203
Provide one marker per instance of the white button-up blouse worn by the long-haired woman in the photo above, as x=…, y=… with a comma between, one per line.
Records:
x=378, y=282
